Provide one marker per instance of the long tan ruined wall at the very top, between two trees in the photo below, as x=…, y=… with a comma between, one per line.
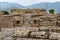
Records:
x=26, y=11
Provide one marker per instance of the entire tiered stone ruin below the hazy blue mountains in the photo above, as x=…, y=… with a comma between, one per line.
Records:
x=29, y=25
